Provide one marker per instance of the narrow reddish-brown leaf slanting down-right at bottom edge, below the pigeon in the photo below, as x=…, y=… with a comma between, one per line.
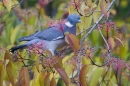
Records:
x=63, y=75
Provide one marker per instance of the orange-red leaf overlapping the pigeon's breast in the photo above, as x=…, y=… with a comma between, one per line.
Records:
x=73, y=41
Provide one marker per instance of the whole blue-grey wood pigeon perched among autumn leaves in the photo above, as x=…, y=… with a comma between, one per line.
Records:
x=51, y=38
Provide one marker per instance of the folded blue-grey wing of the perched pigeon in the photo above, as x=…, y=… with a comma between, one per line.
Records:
x=48, y=34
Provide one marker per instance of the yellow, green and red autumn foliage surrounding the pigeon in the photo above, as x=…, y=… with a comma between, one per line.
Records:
x=98, y=55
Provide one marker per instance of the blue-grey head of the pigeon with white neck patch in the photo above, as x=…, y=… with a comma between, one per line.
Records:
x=72, y=19
